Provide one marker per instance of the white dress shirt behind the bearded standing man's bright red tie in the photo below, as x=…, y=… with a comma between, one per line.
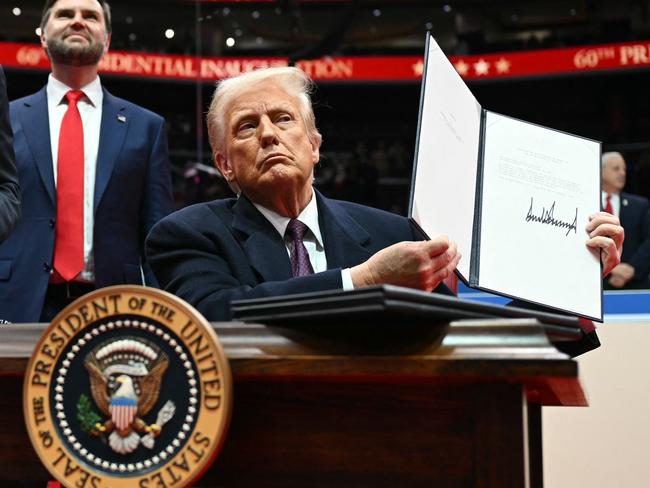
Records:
x=90, y=109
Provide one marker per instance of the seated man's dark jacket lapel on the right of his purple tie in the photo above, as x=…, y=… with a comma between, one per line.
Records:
x=343, y=237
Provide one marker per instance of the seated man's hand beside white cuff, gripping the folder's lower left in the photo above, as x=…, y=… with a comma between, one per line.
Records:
x=421, y=265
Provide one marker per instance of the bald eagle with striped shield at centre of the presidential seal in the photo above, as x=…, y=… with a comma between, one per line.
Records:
x=125, y=379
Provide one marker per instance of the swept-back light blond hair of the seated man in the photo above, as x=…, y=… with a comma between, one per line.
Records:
x=292, y=80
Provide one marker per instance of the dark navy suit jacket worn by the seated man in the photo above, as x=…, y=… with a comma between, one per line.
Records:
x=212, y=253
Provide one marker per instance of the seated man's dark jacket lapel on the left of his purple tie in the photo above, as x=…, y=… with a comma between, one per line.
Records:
x=262, y=244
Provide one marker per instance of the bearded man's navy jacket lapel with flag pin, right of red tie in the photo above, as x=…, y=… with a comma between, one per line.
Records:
x=114, y=126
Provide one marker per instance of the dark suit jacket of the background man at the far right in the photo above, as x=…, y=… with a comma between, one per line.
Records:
x=635, y=219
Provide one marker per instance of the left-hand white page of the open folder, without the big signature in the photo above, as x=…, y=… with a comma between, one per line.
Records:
x=445, y=174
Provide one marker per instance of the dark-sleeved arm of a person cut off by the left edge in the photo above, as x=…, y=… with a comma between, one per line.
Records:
x=9, y=191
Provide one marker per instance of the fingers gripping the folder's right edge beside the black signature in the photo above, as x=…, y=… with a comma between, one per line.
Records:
x=606, y=234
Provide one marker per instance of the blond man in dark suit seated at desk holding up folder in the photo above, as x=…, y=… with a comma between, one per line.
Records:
x=280, y=236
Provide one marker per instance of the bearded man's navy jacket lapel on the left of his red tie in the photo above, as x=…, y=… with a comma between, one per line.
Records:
x=35, y=121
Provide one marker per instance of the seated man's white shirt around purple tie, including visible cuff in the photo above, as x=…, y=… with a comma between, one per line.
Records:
x=313, y=240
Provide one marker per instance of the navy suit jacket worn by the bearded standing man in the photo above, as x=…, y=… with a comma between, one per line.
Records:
x=132, y=192
